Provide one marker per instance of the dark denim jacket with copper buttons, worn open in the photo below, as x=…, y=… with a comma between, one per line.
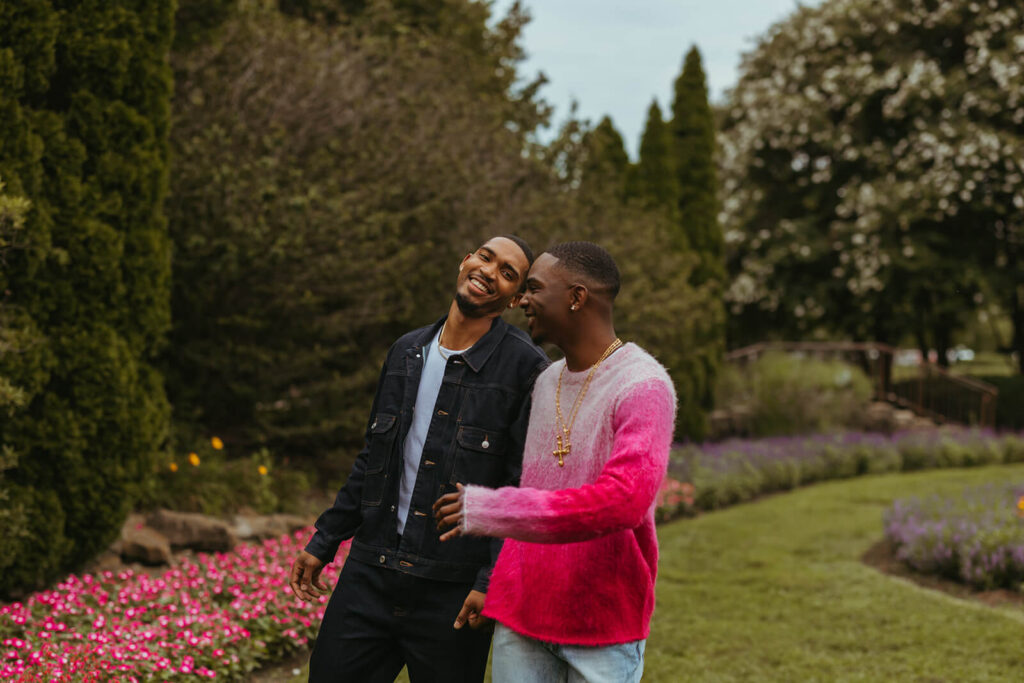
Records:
x=477, y=436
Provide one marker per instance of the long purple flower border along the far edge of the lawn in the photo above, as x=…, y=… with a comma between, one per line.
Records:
x=736, y=471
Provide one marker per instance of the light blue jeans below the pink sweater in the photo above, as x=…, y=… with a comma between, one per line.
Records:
x=521, y=660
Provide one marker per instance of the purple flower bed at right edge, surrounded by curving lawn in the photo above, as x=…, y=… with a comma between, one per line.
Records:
x=976, y=539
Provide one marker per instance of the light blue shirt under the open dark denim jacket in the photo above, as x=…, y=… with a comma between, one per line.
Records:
x=426, y=396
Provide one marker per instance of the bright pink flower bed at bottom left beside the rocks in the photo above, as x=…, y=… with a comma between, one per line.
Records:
x=217, y=616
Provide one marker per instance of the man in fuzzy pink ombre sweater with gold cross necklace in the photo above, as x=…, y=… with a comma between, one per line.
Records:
x=574, y=588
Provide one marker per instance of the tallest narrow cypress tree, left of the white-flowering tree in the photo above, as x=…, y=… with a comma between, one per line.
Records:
x=694, y=152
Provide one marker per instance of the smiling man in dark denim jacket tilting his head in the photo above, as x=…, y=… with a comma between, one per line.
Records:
x=452, y=407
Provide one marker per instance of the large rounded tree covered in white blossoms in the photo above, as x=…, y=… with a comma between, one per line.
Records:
x=873, y=169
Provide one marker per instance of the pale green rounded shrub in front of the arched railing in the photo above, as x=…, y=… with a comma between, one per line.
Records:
x=789, y=395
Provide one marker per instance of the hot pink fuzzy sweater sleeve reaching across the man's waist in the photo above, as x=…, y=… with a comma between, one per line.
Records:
x=620, y=499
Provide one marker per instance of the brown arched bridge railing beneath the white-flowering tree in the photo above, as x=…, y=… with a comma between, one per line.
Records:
x=928, y=390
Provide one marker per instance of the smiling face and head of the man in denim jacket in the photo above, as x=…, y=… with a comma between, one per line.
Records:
x=491, y=278
